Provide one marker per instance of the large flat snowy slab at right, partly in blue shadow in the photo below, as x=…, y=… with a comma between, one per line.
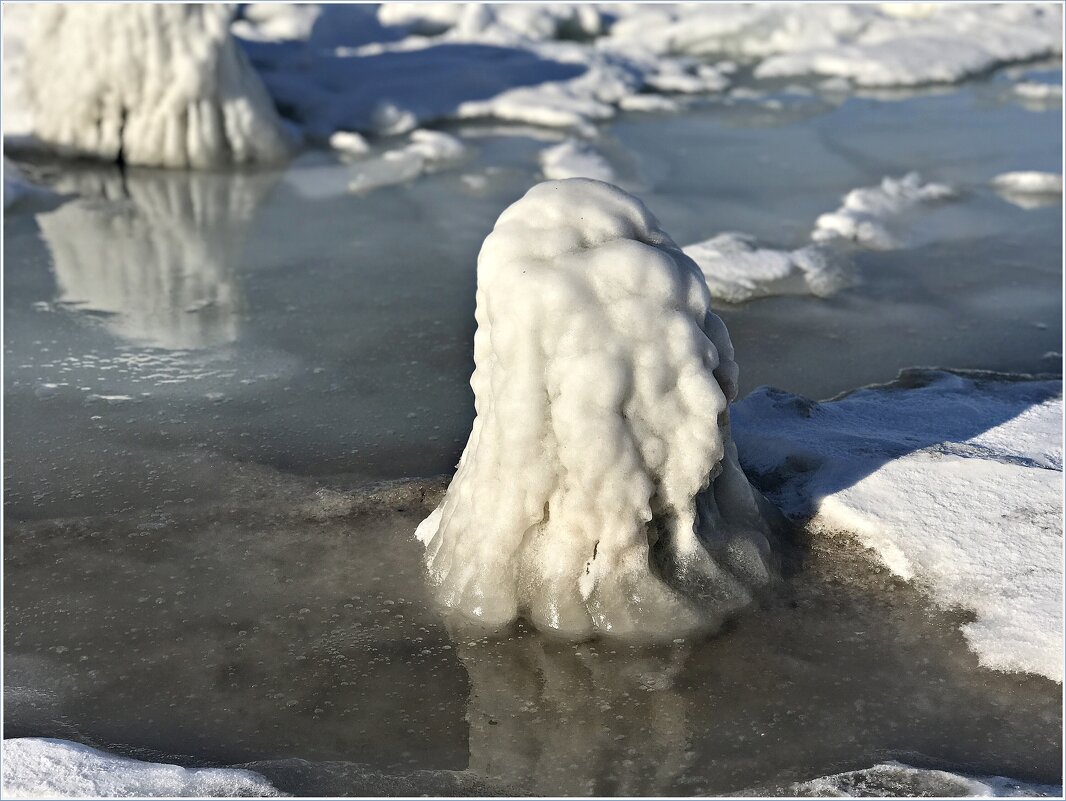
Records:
x=955, y=482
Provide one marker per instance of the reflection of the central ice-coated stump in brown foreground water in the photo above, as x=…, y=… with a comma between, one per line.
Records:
x=543, y=713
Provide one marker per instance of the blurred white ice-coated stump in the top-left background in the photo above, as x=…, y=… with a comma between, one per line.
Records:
x=167, y=88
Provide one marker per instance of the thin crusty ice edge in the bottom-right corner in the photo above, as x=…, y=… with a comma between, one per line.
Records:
x=895, y=779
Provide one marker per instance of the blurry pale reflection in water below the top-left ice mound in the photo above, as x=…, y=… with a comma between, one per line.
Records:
x=159, y=262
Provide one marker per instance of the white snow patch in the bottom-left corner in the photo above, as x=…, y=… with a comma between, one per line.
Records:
x=46, y=768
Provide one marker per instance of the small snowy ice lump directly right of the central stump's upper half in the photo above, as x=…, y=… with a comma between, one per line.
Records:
x=738, y=270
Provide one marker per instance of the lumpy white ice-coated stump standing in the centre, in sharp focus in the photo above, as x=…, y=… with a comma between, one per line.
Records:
x=600, y=491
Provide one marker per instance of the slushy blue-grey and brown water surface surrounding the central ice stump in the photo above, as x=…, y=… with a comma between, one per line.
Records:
x=204, y=373
